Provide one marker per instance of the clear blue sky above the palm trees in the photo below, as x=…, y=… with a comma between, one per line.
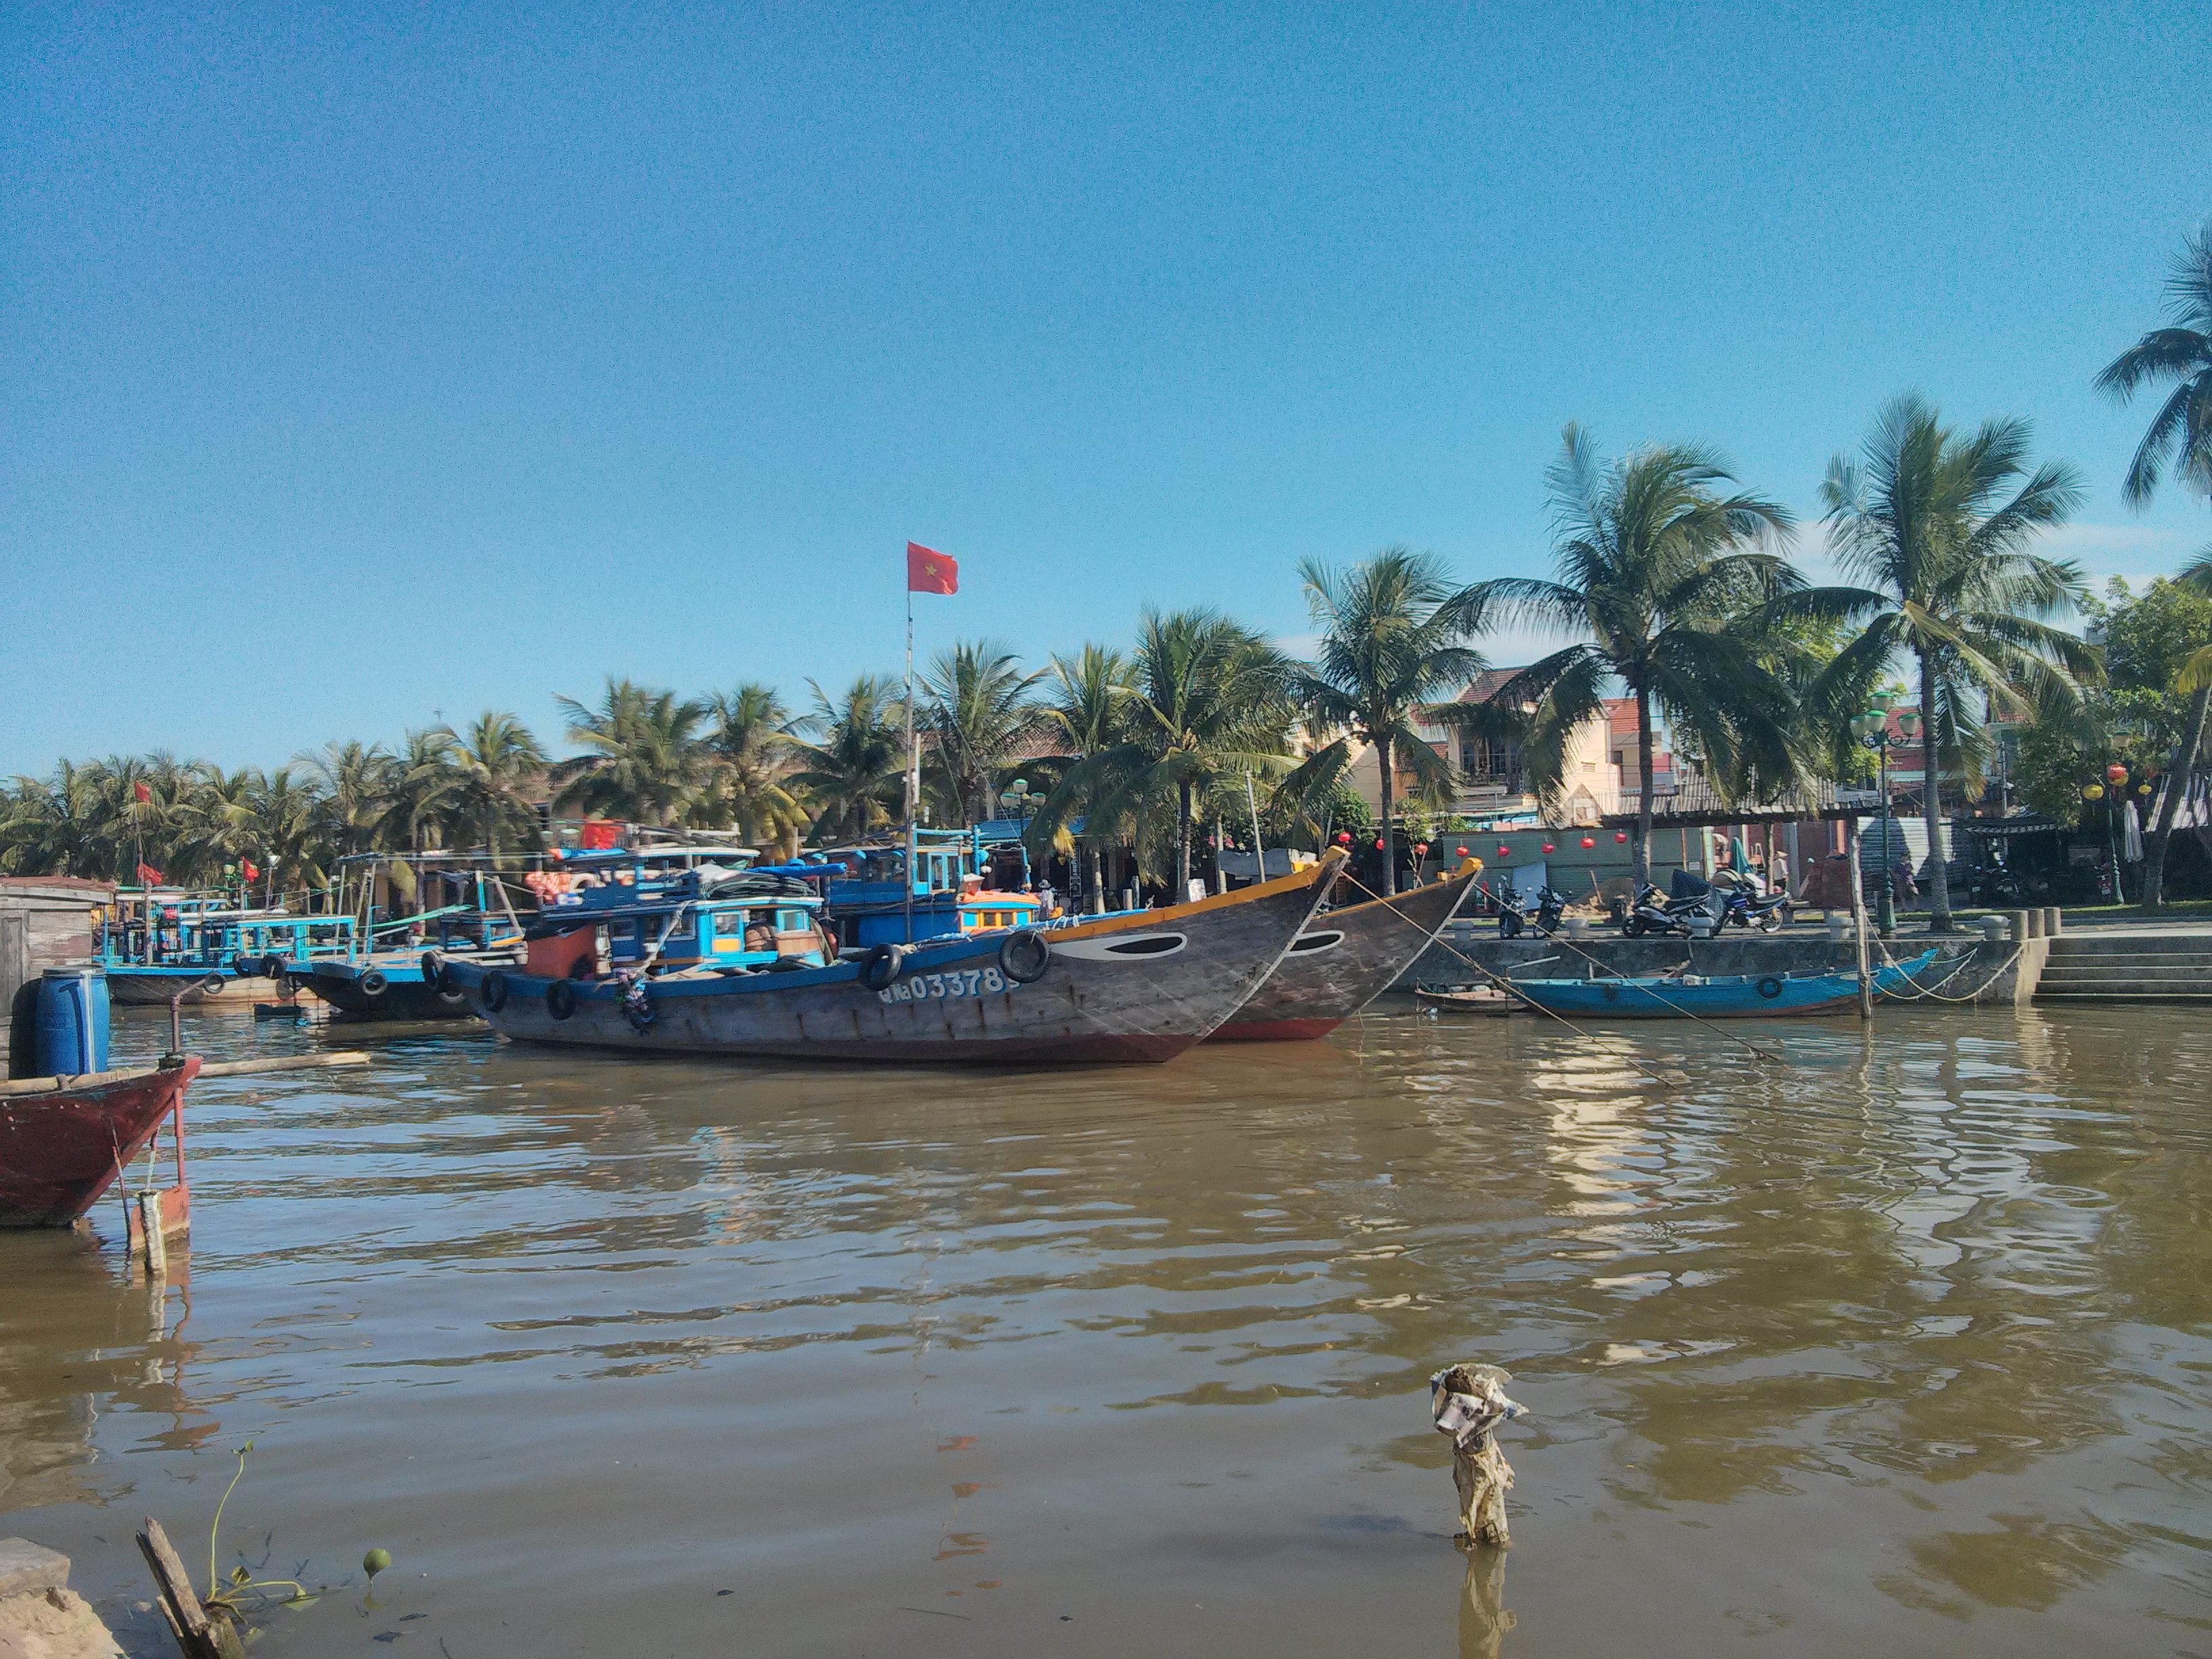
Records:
x=384, y=364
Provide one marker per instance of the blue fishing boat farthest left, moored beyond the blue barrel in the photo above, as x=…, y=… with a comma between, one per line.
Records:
x=160, y=941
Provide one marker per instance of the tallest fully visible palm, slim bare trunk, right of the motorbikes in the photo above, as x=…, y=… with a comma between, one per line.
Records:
x=1937, y=528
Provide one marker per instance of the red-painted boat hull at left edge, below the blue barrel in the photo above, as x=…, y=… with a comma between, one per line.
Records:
x=65, y=1147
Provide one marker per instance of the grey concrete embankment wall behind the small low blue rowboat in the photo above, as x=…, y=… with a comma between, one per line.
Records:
x=2001, y=972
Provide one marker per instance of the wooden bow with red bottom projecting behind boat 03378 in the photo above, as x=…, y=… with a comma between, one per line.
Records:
x=1344, y=961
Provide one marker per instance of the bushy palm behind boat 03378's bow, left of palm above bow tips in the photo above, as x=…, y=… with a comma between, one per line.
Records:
x=1209, y=702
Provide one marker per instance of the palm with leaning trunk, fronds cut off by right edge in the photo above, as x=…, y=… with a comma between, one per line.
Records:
x=2180, y=432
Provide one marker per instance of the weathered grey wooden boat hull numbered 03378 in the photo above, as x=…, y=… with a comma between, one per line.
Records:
x=1120, y=990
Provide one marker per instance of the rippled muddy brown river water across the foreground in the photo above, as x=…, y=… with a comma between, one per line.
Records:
x=1888, y=1344
